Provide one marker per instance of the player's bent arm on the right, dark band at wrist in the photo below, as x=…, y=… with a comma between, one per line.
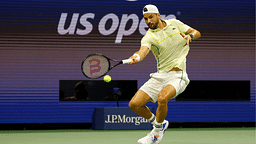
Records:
x=190, y=35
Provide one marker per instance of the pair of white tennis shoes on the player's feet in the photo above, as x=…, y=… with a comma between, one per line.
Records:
x=154, y=139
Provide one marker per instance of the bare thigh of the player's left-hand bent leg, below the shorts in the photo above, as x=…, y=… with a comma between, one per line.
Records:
x=140, y=99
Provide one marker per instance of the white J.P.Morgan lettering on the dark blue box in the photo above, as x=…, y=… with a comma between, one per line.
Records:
x=125, y=119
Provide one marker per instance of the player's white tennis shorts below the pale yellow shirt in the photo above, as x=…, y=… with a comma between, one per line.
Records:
x=178, y=79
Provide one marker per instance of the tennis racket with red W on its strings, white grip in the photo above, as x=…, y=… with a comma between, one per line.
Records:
x=97, y=65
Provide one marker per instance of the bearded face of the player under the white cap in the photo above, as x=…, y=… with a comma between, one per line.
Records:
x=152, y=20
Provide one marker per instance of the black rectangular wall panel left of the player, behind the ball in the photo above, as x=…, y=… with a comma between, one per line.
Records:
x=98, y=90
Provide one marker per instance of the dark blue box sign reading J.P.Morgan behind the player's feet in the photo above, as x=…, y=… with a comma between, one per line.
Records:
x=118, y=119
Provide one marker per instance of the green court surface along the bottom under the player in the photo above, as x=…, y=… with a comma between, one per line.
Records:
x=172, y=136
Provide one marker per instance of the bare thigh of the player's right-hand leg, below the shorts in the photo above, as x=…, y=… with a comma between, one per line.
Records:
x=166, y=94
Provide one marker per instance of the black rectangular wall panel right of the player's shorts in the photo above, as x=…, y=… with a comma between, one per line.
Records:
x=216, y=91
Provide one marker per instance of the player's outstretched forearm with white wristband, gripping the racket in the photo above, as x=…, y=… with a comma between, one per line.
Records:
x=141, y=54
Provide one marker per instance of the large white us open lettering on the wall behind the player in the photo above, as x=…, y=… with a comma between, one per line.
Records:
x=121, y=26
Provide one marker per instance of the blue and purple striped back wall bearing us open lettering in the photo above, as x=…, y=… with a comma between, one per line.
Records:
x=40, y=46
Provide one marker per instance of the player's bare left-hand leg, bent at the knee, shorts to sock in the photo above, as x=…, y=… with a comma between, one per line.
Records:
x=137, y=104
